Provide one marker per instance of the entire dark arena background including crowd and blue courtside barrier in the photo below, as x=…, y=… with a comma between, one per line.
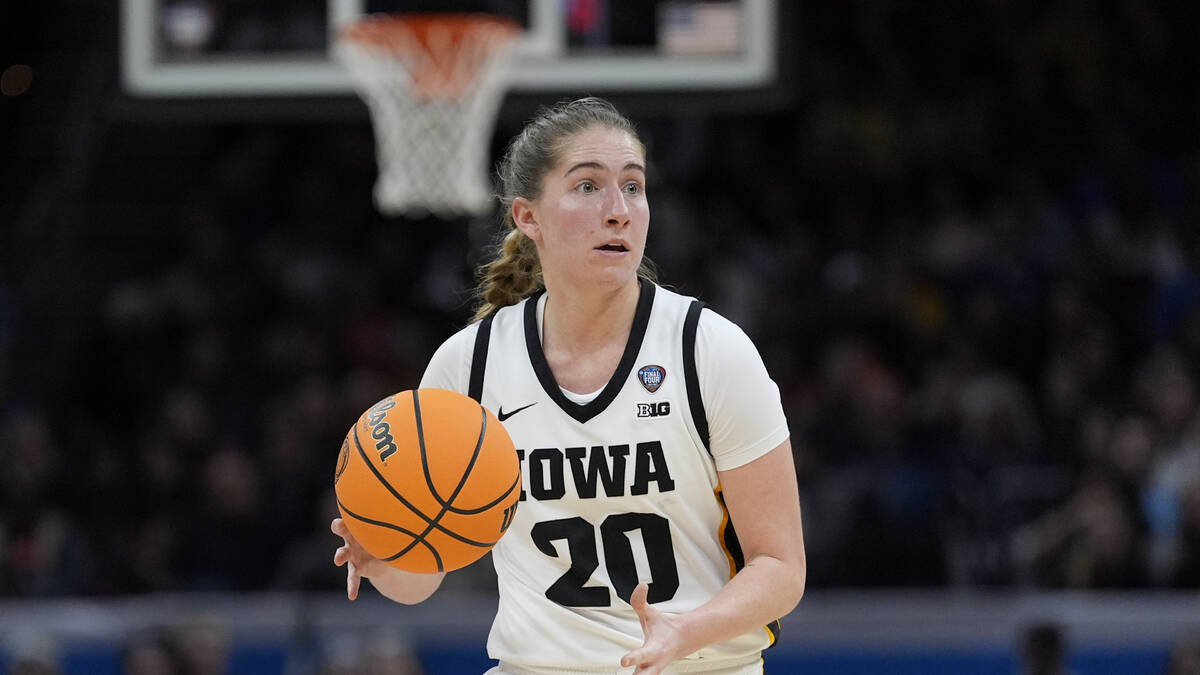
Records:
x=963, y=235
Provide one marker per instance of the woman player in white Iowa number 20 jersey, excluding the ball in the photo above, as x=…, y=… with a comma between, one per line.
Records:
x=659, y=524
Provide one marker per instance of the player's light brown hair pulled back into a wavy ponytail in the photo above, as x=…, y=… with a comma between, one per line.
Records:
x=515, y=270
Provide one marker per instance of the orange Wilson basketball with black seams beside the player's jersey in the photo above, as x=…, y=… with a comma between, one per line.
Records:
x=428, y=481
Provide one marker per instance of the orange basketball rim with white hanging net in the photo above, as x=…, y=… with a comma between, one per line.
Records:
x=434, y=86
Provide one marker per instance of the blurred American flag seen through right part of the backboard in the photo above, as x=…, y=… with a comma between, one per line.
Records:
x=700, y=28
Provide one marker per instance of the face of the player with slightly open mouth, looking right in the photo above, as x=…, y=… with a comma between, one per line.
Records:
x=592, y=218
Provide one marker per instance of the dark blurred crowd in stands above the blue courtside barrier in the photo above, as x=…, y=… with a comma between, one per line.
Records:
x=969, y=255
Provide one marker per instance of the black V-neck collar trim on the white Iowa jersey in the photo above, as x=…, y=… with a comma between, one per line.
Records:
x=583, y=414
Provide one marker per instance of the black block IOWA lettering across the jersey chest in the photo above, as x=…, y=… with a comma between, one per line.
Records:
x=596, y=468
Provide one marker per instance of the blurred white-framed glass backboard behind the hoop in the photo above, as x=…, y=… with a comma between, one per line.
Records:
x=265, y=49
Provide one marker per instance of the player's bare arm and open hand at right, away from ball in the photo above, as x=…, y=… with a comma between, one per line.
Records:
x=765, y=509
